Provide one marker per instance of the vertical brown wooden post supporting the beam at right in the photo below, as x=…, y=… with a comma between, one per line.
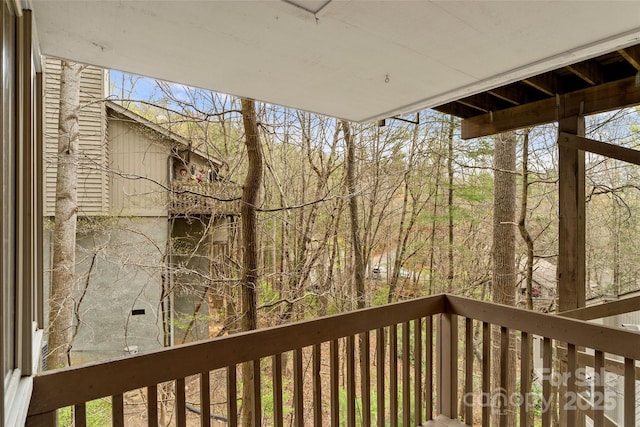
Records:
x=571, y=241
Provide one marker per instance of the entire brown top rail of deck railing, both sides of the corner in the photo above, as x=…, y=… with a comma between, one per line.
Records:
x=102, y=379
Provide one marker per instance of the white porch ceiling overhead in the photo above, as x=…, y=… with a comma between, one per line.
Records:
x=358, y=60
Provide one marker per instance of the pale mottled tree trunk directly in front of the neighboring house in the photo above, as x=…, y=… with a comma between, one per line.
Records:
x=66, y=211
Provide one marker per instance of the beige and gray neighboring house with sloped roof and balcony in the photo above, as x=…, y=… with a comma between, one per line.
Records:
x=151, y=226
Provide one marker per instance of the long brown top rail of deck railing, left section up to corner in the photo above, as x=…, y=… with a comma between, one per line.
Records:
x=102, y=379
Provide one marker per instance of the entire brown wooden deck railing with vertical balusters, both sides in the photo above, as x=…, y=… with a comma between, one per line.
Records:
x=379, y=366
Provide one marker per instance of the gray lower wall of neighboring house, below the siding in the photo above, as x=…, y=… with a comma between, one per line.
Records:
x=120, y=264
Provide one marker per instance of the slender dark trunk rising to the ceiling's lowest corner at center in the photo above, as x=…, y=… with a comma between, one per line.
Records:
x=353, y=210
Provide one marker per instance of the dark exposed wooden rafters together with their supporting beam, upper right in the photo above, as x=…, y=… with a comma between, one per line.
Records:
x=604, y=83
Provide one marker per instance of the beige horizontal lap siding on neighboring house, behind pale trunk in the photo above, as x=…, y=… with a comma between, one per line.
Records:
x=93, y=182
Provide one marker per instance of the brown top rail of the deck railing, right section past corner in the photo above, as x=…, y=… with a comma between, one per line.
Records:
x=611, y=340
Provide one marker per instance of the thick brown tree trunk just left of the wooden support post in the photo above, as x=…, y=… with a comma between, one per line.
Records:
x=504, y=268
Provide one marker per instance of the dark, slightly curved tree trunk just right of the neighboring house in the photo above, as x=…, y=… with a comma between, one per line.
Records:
x=249, y=279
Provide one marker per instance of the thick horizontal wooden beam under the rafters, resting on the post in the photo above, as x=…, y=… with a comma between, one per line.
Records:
x=592, y=100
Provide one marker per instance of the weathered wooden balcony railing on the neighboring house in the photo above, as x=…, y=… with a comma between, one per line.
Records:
x=205, y=198
